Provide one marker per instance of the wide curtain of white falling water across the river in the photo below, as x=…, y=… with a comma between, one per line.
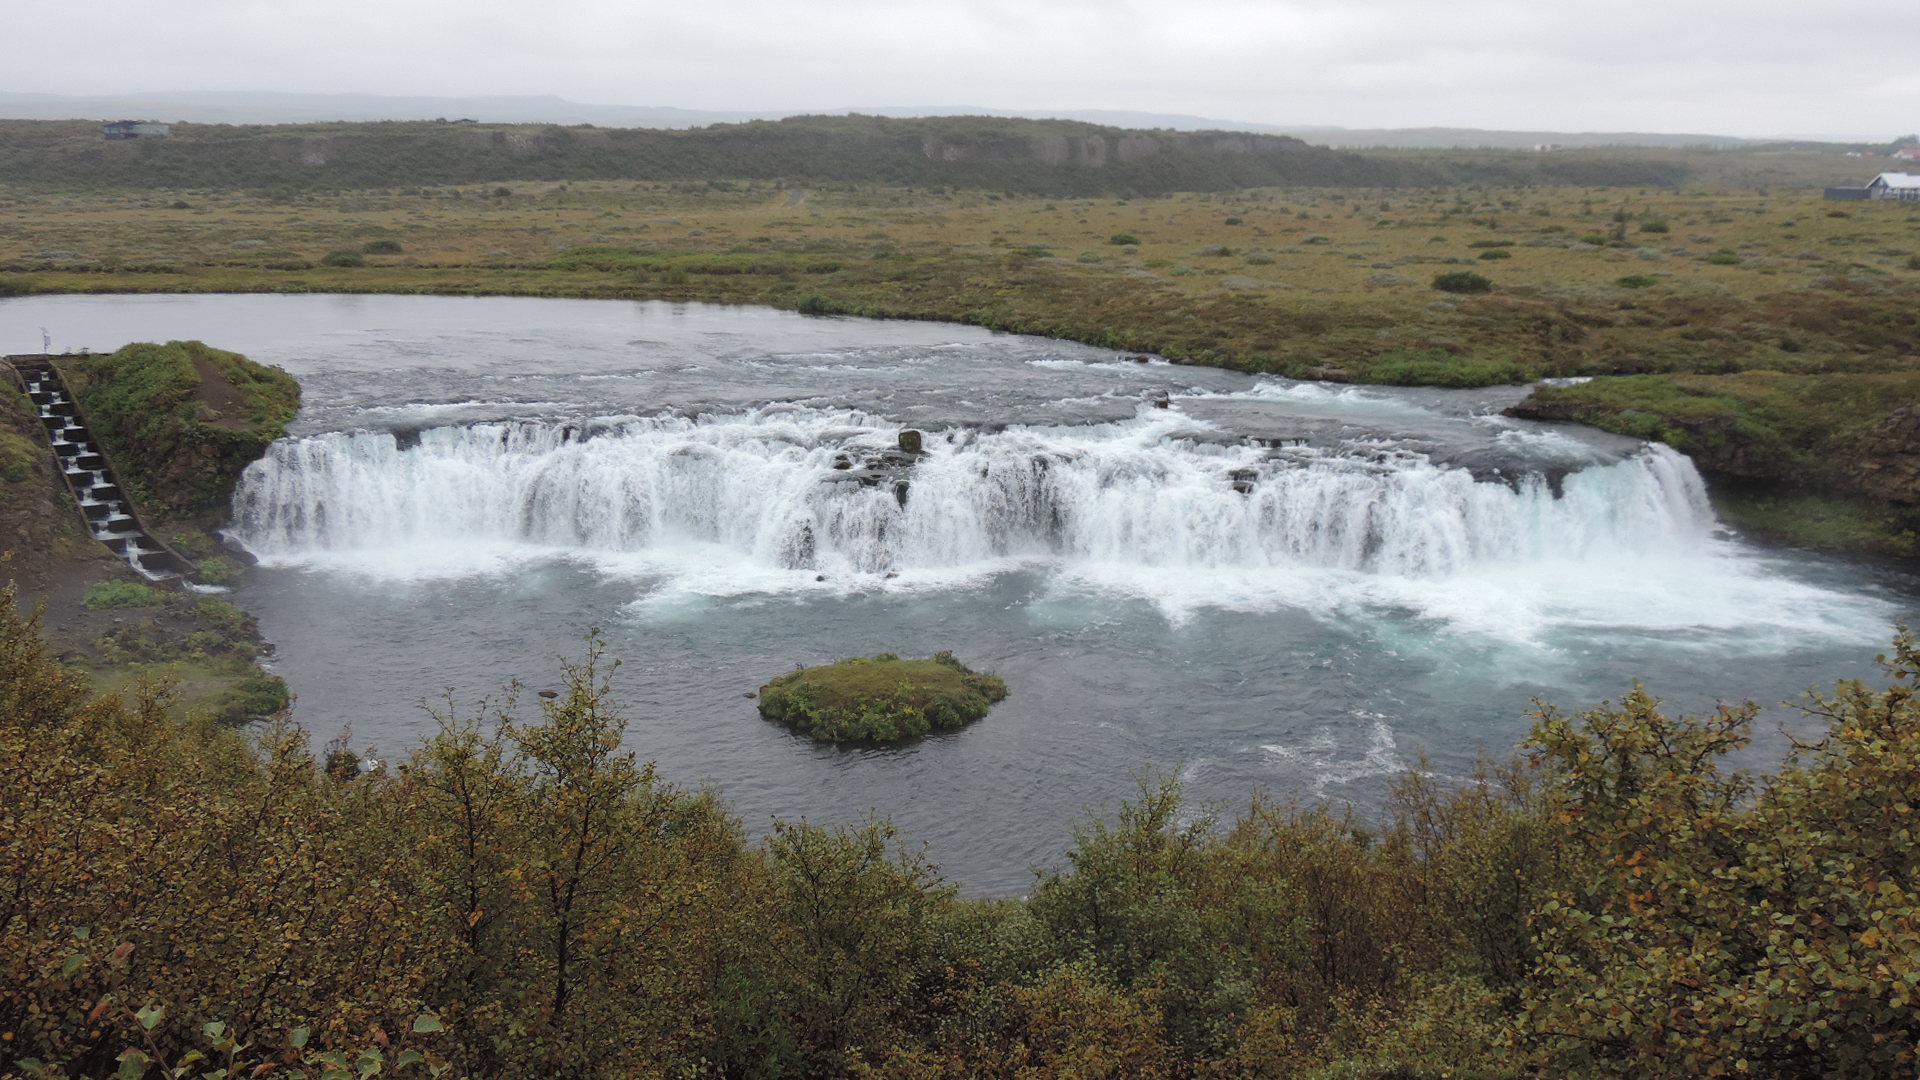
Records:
x=777, y=489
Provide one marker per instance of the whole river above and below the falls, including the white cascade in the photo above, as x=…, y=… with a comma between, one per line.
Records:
x=1260, y=587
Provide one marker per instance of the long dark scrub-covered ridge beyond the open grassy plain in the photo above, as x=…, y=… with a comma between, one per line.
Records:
x=965, y=153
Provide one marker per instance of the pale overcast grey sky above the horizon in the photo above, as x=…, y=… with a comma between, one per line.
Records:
x=1698, y=66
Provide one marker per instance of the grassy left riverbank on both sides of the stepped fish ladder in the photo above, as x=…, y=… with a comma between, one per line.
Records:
x=181, y=422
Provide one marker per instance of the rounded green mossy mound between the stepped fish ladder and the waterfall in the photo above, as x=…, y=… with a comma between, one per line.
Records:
x=183, y=420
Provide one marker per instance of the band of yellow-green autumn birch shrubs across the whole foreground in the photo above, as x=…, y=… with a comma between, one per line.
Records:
x=525, y=898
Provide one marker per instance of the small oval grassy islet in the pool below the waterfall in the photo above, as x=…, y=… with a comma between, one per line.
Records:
x=880, y=699
